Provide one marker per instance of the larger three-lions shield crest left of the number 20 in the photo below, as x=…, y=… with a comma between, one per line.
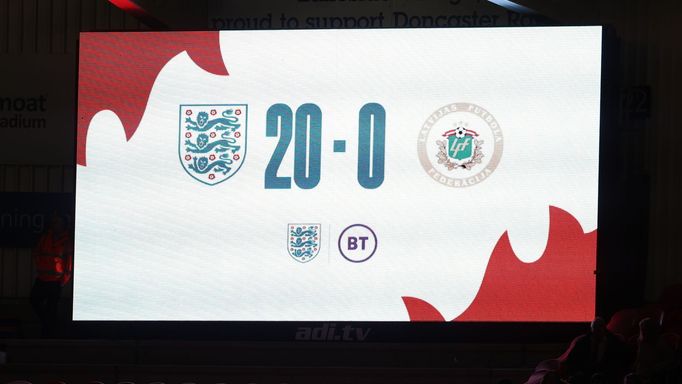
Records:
x=212, y=140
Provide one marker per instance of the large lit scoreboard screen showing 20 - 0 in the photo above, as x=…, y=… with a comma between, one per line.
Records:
x=338, y=175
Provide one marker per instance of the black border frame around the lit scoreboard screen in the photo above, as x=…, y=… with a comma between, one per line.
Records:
x=396, y=331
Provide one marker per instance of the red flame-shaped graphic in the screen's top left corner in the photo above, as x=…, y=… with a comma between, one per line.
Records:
x=117, y=72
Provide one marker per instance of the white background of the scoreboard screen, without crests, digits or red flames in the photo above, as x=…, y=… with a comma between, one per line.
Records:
x=154, y=244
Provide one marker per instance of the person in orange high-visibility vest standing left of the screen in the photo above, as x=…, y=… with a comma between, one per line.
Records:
x=53, y=258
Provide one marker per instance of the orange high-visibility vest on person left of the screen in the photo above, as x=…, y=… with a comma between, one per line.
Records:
x=49, y=265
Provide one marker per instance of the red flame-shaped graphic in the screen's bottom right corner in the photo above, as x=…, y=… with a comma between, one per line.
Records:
x=559, y=286
